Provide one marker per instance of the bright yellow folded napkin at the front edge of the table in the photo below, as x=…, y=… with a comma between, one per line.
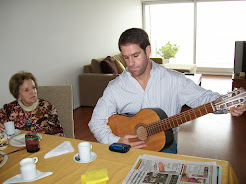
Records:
x=99, y=176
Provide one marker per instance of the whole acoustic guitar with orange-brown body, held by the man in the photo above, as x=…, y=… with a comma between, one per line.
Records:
x=155, y=128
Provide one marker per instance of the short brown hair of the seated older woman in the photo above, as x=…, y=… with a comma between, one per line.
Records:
x=17, y=80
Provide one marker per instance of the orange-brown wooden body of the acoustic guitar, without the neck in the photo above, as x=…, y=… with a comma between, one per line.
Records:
x=123, y=125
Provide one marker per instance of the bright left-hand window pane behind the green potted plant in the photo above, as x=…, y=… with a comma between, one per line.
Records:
x=166, y=23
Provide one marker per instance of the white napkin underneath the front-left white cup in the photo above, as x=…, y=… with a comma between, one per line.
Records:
x=18, y=178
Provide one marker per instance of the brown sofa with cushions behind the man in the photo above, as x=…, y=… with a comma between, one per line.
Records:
x=100, y=71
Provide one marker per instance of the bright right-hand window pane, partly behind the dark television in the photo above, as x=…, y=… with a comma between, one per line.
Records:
x=219, y=25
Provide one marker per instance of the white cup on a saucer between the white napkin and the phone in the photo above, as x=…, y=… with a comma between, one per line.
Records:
x=85, y=151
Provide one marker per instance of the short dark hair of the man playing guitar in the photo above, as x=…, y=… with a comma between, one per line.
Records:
x=134, y=36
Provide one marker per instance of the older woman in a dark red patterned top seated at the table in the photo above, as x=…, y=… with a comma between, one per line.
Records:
x=27, y=111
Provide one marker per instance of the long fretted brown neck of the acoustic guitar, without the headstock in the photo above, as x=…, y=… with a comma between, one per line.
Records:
x=179, y=119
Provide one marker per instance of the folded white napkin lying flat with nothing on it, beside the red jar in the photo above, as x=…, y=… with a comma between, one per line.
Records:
x=63, y=148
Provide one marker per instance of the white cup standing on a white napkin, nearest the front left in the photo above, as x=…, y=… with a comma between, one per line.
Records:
x=28, y=168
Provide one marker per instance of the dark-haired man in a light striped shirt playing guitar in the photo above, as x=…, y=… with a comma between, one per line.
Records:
x=146, y=84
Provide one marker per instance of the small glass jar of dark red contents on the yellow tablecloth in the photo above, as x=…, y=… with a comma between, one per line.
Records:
x=32, y=142
